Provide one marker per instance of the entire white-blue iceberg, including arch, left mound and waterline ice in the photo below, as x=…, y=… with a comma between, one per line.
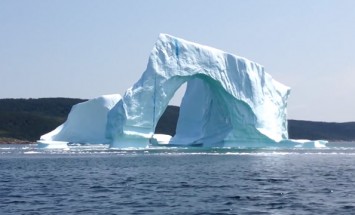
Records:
x=229, y=101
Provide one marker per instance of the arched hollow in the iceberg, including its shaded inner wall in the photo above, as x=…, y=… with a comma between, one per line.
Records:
x=202, y=107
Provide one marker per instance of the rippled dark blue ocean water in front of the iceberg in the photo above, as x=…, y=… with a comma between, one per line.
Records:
x=98, y=180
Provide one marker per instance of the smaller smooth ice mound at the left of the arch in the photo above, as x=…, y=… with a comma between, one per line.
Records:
x=86, y=123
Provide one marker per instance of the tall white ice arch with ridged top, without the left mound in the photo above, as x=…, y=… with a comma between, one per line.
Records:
x=228, y=98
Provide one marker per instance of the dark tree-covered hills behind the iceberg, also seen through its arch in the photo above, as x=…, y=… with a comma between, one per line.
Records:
x=28, y=119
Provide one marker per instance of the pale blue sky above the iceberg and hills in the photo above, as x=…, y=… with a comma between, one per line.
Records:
x=84, y=49
